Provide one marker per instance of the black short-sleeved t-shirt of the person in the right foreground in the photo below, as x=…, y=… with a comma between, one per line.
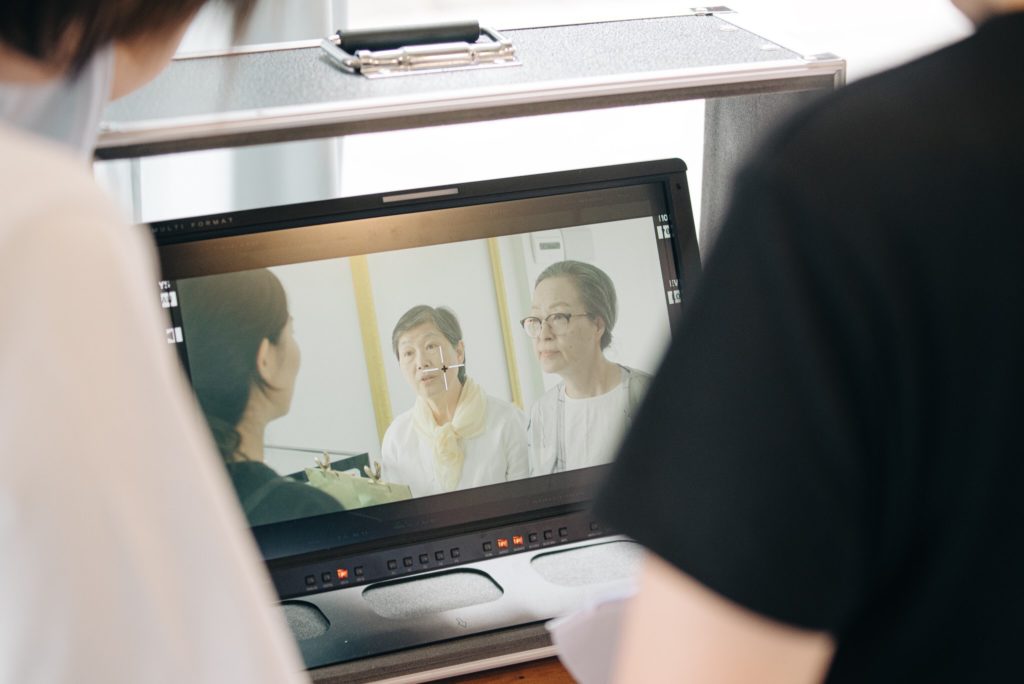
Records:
x=835, y=438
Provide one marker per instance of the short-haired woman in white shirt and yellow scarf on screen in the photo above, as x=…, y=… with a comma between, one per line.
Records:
x=455, y=437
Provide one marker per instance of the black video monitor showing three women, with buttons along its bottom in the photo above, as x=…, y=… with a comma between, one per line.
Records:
x=387, y=369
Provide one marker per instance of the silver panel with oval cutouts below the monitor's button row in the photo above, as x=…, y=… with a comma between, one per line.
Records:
x=494, y=594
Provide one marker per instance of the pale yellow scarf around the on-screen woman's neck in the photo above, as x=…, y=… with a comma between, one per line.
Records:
x=468, y=421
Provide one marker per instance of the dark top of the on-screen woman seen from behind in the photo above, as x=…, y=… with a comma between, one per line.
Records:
x=267, y=497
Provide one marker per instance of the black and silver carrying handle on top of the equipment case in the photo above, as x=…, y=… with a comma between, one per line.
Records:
x=411, y=51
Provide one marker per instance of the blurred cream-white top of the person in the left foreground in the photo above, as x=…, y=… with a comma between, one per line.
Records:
x=125, y=555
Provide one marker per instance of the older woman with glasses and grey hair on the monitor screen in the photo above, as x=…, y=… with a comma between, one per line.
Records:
x=580, y=421
